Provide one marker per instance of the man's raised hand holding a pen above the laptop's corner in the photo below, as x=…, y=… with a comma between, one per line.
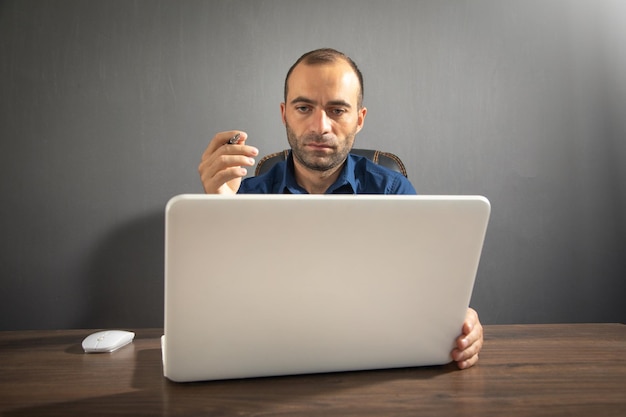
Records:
x=223, y=162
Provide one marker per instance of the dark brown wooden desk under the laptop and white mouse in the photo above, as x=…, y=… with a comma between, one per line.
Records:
x=539, y=370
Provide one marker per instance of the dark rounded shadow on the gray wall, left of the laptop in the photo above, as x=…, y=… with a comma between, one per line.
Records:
x=126, y=280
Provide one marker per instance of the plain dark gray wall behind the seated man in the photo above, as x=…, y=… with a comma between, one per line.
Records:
x=106, y=107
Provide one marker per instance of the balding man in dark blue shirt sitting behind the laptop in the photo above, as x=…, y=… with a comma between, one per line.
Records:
x=322, y=113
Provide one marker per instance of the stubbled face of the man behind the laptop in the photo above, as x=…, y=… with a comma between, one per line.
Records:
x=321, y=114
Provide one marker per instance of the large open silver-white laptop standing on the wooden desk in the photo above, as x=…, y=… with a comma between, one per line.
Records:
x=265, y=285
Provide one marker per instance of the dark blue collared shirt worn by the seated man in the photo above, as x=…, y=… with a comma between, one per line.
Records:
x=358, y=176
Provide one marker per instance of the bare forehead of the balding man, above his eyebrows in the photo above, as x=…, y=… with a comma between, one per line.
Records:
x=328, y=81
